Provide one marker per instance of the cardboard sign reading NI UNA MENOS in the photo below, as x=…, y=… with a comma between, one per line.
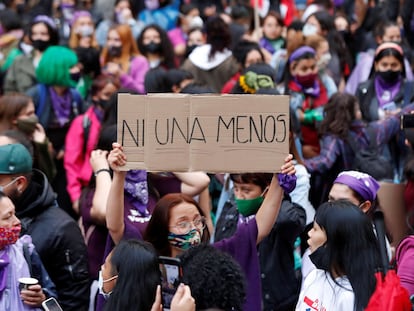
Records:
x=210, y=133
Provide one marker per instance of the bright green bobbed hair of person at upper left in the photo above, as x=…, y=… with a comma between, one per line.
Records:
x=54, y=66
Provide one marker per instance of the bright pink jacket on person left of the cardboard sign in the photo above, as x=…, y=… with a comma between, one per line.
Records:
x=77, y=166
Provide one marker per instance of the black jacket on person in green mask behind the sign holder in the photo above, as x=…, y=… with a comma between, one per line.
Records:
x=280, y=283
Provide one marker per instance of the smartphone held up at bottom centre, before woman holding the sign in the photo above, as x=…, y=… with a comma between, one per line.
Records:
x=171, y=274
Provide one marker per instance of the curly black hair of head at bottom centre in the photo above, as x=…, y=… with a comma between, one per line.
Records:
x=215, y=278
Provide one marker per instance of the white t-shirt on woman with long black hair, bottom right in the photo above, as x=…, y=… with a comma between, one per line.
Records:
x=321, y=293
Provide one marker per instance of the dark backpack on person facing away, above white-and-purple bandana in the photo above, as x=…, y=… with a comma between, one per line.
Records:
x=369, y=160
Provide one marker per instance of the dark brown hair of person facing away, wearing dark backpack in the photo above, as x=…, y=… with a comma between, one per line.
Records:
x=339, y=113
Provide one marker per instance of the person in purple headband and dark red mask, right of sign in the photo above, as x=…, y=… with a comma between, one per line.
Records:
x=308, y=96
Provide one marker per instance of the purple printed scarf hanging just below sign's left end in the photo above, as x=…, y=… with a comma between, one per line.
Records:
x=136, y=190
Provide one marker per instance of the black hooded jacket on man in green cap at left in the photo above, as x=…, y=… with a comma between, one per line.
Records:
x=58, y=240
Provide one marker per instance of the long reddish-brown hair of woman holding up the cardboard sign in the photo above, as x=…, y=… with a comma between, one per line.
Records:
x=158, y=227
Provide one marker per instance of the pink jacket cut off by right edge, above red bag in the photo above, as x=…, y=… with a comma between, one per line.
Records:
x=404, y=257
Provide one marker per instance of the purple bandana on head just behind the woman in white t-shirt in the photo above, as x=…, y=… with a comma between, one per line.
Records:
x=363, y=184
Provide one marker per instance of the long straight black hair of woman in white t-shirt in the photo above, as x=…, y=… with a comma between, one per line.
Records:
x=351, y=248
